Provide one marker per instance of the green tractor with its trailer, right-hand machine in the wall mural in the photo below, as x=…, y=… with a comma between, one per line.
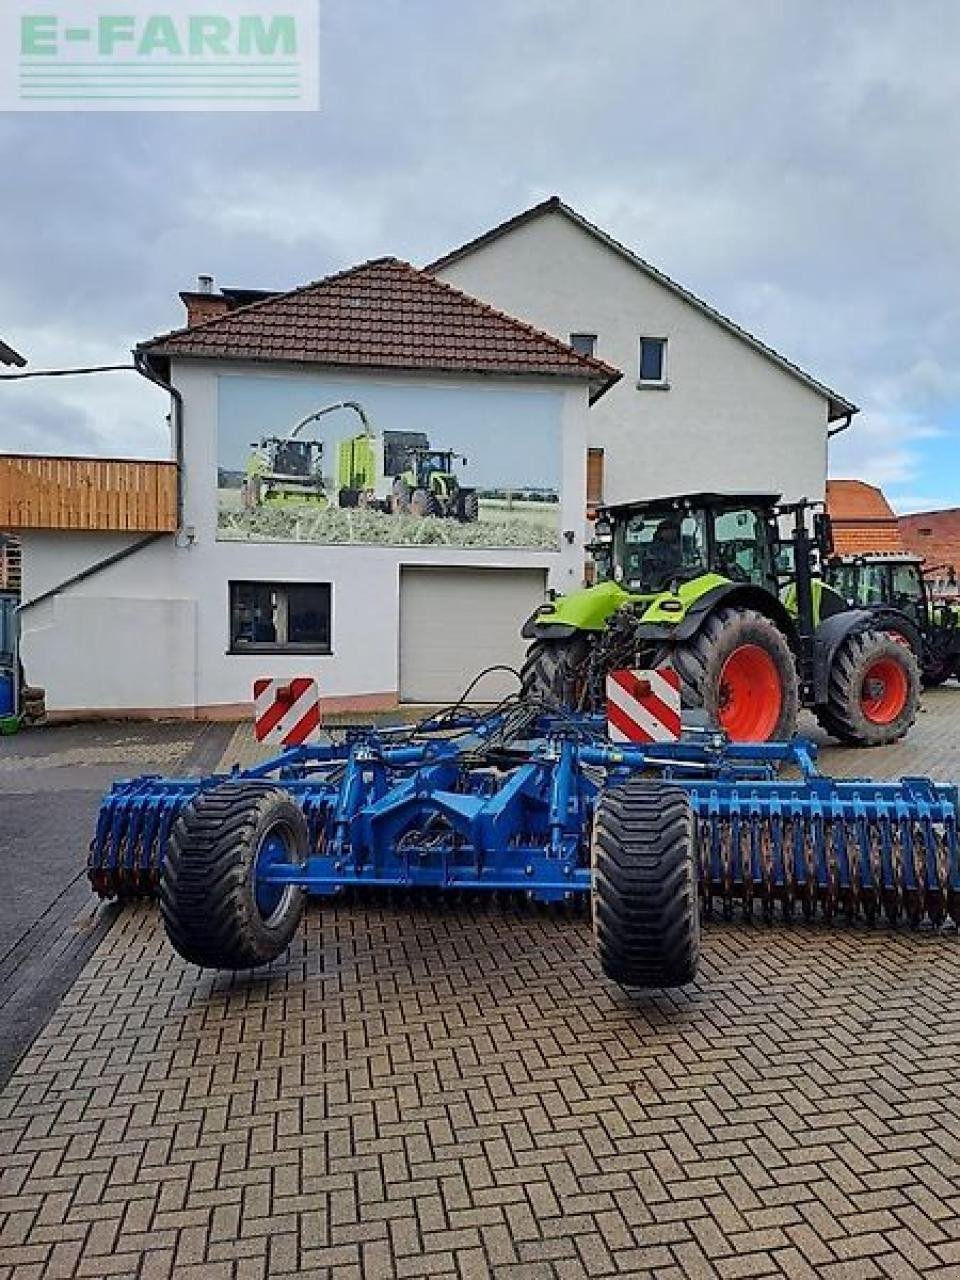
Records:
x=401, y=474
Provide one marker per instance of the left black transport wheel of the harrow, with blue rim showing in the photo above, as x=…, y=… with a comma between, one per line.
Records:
x=214, y=911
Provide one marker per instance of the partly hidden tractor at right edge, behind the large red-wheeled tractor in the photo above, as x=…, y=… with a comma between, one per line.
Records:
x=895, y=580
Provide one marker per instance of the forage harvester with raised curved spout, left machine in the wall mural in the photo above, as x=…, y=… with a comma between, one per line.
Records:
x=287, y=470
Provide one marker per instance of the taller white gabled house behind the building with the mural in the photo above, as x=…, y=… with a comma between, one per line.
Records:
x=703, y=405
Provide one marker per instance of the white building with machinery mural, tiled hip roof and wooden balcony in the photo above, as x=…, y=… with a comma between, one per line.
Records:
x=170, y=588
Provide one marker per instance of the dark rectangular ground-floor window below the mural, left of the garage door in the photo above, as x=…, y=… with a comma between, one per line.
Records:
x=269, y=618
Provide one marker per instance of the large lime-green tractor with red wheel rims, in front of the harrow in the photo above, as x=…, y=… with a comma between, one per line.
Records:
x=707, y=584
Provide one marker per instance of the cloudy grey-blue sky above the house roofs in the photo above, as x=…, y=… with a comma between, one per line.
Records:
x=793, y=162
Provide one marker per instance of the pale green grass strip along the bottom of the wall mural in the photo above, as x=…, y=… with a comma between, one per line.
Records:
x=501, y=523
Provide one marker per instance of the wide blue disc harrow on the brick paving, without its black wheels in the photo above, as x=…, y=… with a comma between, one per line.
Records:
x=509, y=803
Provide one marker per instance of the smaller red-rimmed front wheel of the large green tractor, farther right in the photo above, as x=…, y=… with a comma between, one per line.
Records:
x=874, y=692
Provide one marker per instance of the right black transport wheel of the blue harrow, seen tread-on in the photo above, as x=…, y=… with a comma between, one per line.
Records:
x=647, y=916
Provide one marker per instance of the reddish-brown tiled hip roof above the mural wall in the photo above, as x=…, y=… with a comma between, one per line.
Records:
x=383, y=316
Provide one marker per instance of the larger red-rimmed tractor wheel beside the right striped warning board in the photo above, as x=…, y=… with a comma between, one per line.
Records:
x=740, y=669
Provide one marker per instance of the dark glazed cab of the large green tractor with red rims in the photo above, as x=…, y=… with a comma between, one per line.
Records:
x=648, y=547
